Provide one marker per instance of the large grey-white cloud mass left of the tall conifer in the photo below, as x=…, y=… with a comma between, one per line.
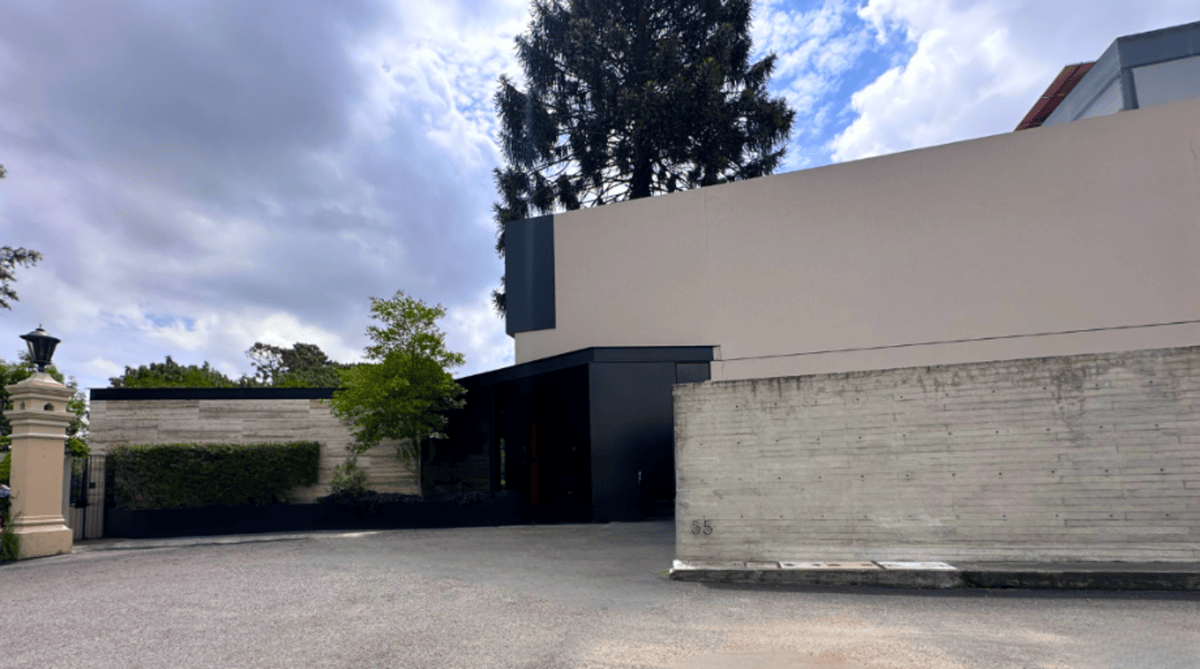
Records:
x=206, y=174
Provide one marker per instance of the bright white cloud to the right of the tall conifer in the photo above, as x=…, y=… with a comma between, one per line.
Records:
x=979, y=68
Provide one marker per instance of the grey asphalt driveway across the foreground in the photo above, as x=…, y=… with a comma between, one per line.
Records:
x=553, y=596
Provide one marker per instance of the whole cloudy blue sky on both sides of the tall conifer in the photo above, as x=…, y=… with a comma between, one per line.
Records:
x=203, y=176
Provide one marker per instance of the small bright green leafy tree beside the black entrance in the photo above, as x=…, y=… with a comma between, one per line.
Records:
x=404, y=394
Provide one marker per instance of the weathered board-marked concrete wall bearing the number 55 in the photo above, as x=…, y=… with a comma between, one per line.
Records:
x=1089, y=457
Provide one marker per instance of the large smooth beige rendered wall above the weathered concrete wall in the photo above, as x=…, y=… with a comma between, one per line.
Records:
x=1082, y=226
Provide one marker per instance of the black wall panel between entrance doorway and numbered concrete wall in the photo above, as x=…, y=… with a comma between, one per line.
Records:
x=633, y=438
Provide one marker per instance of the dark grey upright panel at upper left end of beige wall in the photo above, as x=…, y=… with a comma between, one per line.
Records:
x=530, y=275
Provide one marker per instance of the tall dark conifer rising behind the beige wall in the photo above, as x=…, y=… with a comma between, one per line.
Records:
x=629, y=99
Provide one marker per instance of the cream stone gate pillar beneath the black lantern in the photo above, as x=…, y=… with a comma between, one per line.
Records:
x=40, y=420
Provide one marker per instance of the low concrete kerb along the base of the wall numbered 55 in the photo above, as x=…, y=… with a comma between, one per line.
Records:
x=1075, y=576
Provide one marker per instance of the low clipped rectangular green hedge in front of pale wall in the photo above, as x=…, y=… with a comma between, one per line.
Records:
x=199, y=475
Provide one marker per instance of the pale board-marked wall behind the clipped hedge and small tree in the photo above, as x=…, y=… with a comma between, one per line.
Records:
x=245, y=421
